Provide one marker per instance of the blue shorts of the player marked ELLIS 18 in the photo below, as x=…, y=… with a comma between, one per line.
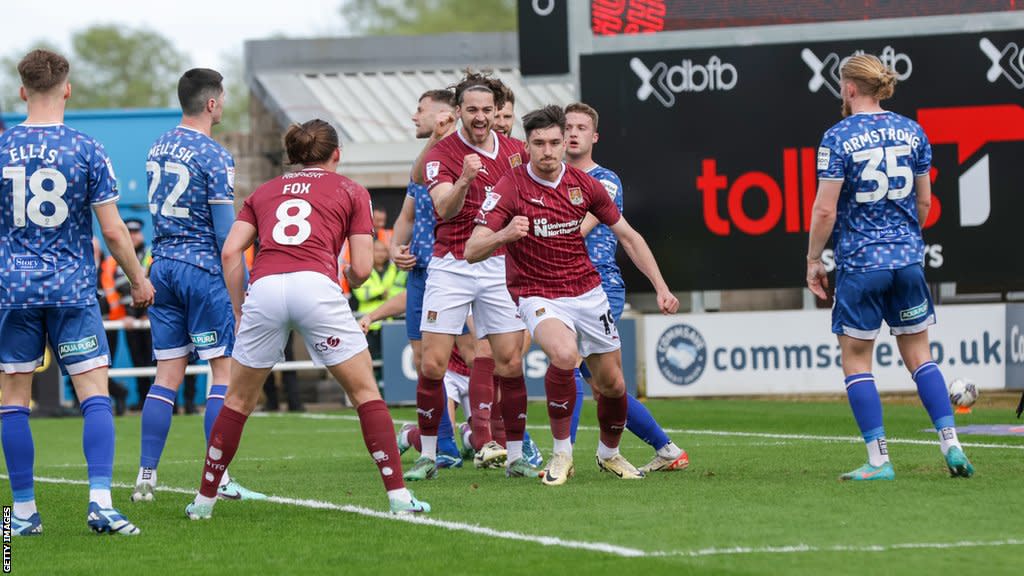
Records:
x=75, y=334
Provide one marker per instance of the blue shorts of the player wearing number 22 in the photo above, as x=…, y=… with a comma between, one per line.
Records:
x=192, y=312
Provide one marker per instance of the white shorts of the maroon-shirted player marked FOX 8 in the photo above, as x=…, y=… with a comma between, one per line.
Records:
x=307, y=302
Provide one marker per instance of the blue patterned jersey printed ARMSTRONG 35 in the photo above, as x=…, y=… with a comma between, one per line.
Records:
x=877, y=156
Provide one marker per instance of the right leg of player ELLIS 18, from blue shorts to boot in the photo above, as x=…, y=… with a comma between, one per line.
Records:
x=78, y=337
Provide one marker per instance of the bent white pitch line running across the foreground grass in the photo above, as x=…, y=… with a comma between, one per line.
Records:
x=604, y=548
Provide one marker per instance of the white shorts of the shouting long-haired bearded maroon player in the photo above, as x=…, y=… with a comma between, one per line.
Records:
x=456, y=290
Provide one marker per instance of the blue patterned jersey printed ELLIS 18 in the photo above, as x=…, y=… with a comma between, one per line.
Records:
x=51, y=177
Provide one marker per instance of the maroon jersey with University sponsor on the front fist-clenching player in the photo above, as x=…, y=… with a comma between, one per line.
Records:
x=551, y=261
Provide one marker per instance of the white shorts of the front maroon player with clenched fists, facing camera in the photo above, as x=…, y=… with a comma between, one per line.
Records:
x=588, y=315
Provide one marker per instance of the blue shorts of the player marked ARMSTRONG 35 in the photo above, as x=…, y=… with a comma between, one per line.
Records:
x=864, y=300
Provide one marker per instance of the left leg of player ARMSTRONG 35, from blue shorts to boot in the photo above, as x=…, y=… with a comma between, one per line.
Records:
x=857, y=319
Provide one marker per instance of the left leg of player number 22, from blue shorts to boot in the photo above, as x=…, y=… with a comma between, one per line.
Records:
x=173, y=349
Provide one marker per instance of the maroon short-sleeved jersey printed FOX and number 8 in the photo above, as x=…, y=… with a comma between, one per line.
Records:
x=303, y=221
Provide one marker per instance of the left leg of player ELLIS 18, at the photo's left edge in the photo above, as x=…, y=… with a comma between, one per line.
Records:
x=22, y=350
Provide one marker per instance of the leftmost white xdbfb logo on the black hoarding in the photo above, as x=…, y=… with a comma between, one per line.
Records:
x=665, y=81
